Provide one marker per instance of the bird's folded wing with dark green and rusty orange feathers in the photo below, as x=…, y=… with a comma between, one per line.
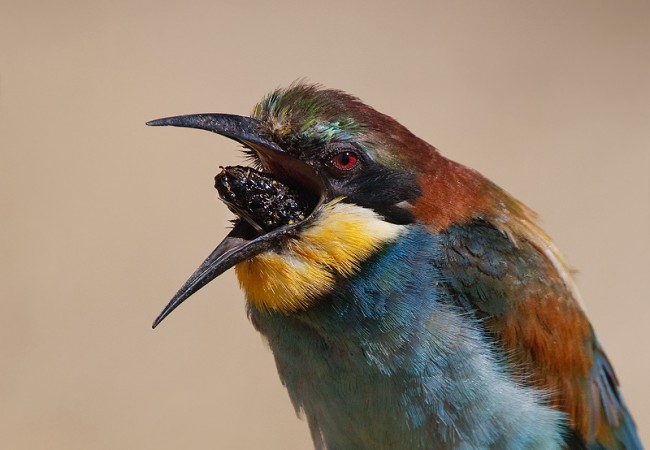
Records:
x=512, y=278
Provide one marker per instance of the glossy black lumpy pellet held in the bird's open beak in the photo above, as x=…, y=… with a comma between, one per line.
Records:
x=257, y=196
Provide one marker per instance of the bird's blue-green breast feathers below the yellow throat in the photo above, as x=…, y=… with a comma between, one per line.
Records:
x=388, y=361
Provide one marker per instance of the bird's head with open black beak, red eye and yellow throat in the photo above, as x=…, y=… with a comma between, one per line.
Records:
x=365, y=178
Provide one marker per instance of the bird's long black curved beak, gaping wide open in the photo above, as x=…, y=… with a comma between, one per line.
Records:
x=242, y=242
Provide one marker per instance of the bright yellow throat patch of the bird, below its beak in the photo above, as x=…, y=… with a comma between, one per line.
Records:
x=335, y=243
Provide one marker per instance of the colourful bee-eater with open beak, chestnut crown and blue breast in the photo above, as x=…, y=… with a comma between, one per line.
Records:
x=415, y=304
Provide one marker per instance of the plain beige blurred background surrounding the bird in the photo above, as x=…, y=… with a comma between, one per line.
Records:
x=103, y=218
